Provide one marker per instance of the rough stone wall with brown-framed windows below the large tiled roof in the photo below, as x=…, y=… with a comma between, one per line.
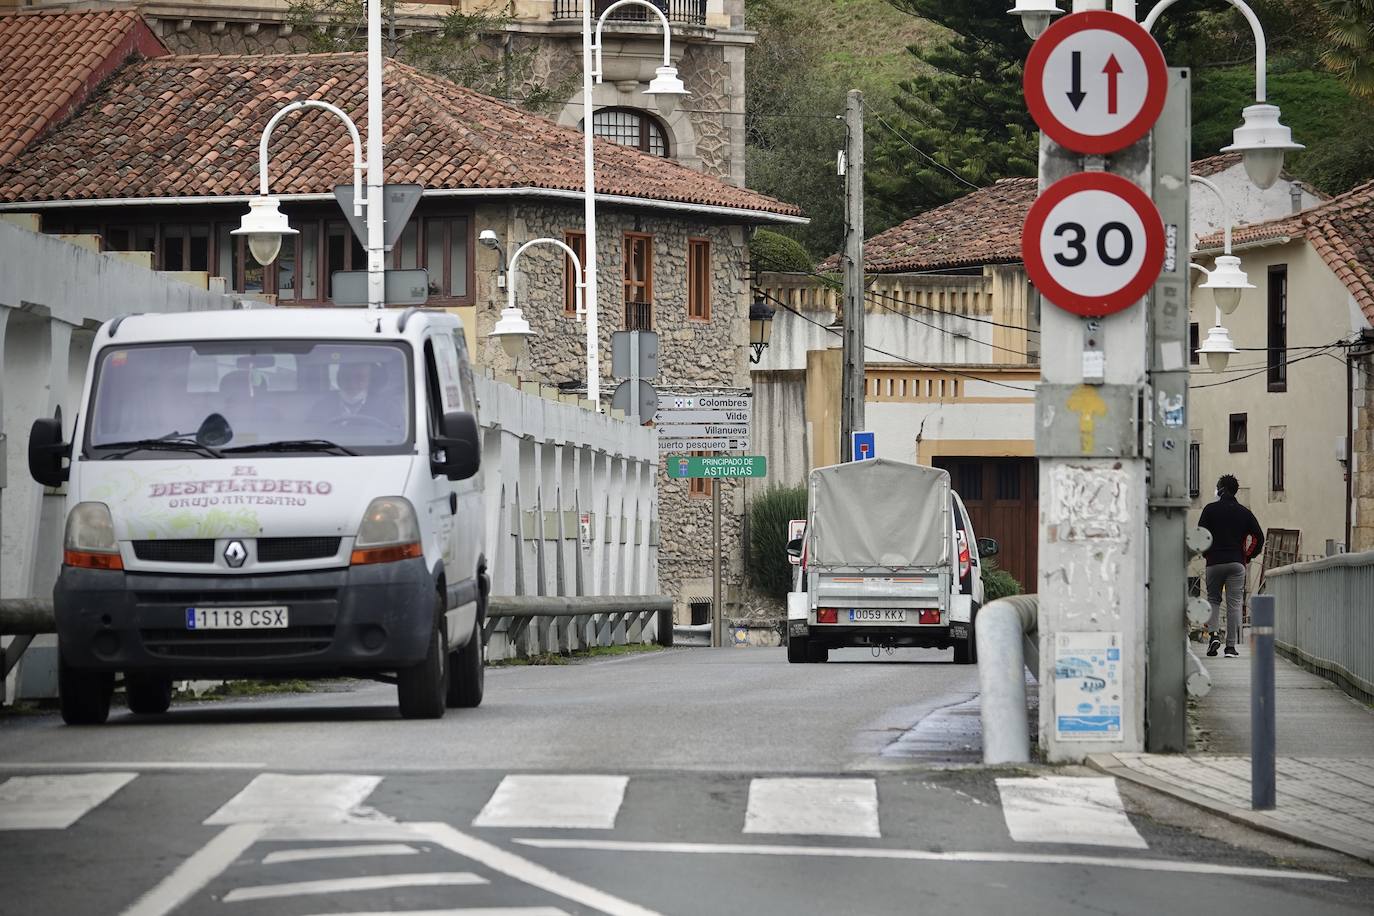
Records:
x=695, y=356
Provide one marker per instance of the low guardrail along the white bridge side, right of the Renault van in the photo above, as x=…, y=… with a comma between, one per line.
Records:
x=524, y=626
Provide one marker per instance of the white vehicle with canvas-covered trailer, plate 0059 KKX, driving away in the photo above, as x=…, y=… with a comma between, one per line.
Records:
x=888, y=560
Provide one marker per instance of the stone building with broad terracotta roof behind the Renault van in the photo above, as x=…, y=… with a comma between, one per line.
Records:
x=164, y=157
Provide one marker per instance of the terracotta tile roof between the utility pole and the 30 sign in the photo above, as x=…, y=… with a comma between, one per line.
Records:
x=982, y=227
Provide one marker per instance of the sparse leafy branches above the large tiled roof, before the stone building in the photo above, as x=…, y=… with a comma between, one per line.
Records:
x=464, y=47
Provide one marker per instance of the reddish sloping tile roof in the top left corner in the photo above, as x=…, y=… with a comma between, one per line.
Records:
x=50, y=62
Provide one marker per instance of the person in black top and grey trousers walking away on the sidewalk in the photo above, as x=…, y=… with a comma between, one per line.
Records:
x=1236, y=539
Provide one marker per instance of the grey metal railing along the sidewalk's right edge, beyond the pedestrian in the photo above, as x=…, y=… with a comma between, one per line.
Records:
x=1325, y=619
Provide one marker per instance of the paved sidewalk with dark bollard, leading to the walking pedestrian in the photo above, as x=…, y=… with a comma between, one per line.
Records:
x=1325, y=759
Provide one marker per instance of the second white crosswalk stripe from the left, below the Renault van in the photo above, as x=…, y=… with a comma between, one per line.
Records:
x=277, y=799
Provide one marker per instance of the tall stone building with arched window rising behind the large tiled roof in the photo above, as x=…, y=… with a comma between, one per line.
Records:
x=707, y=133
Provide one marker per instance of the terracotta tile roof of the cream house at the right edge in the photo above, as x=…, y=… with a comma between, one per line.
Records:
x=1340, y=230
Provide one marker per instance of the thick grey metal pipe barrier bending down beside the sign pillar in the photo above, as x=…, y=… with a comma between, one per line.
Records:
x=1008, y=635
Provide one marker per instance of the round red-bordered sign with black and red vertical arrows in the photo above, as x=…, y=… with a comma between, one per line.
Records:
x=1096, y=82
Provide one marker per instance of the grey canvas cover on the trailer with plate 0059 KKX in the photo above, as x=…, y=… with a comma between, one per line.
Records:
x=879, y=513
